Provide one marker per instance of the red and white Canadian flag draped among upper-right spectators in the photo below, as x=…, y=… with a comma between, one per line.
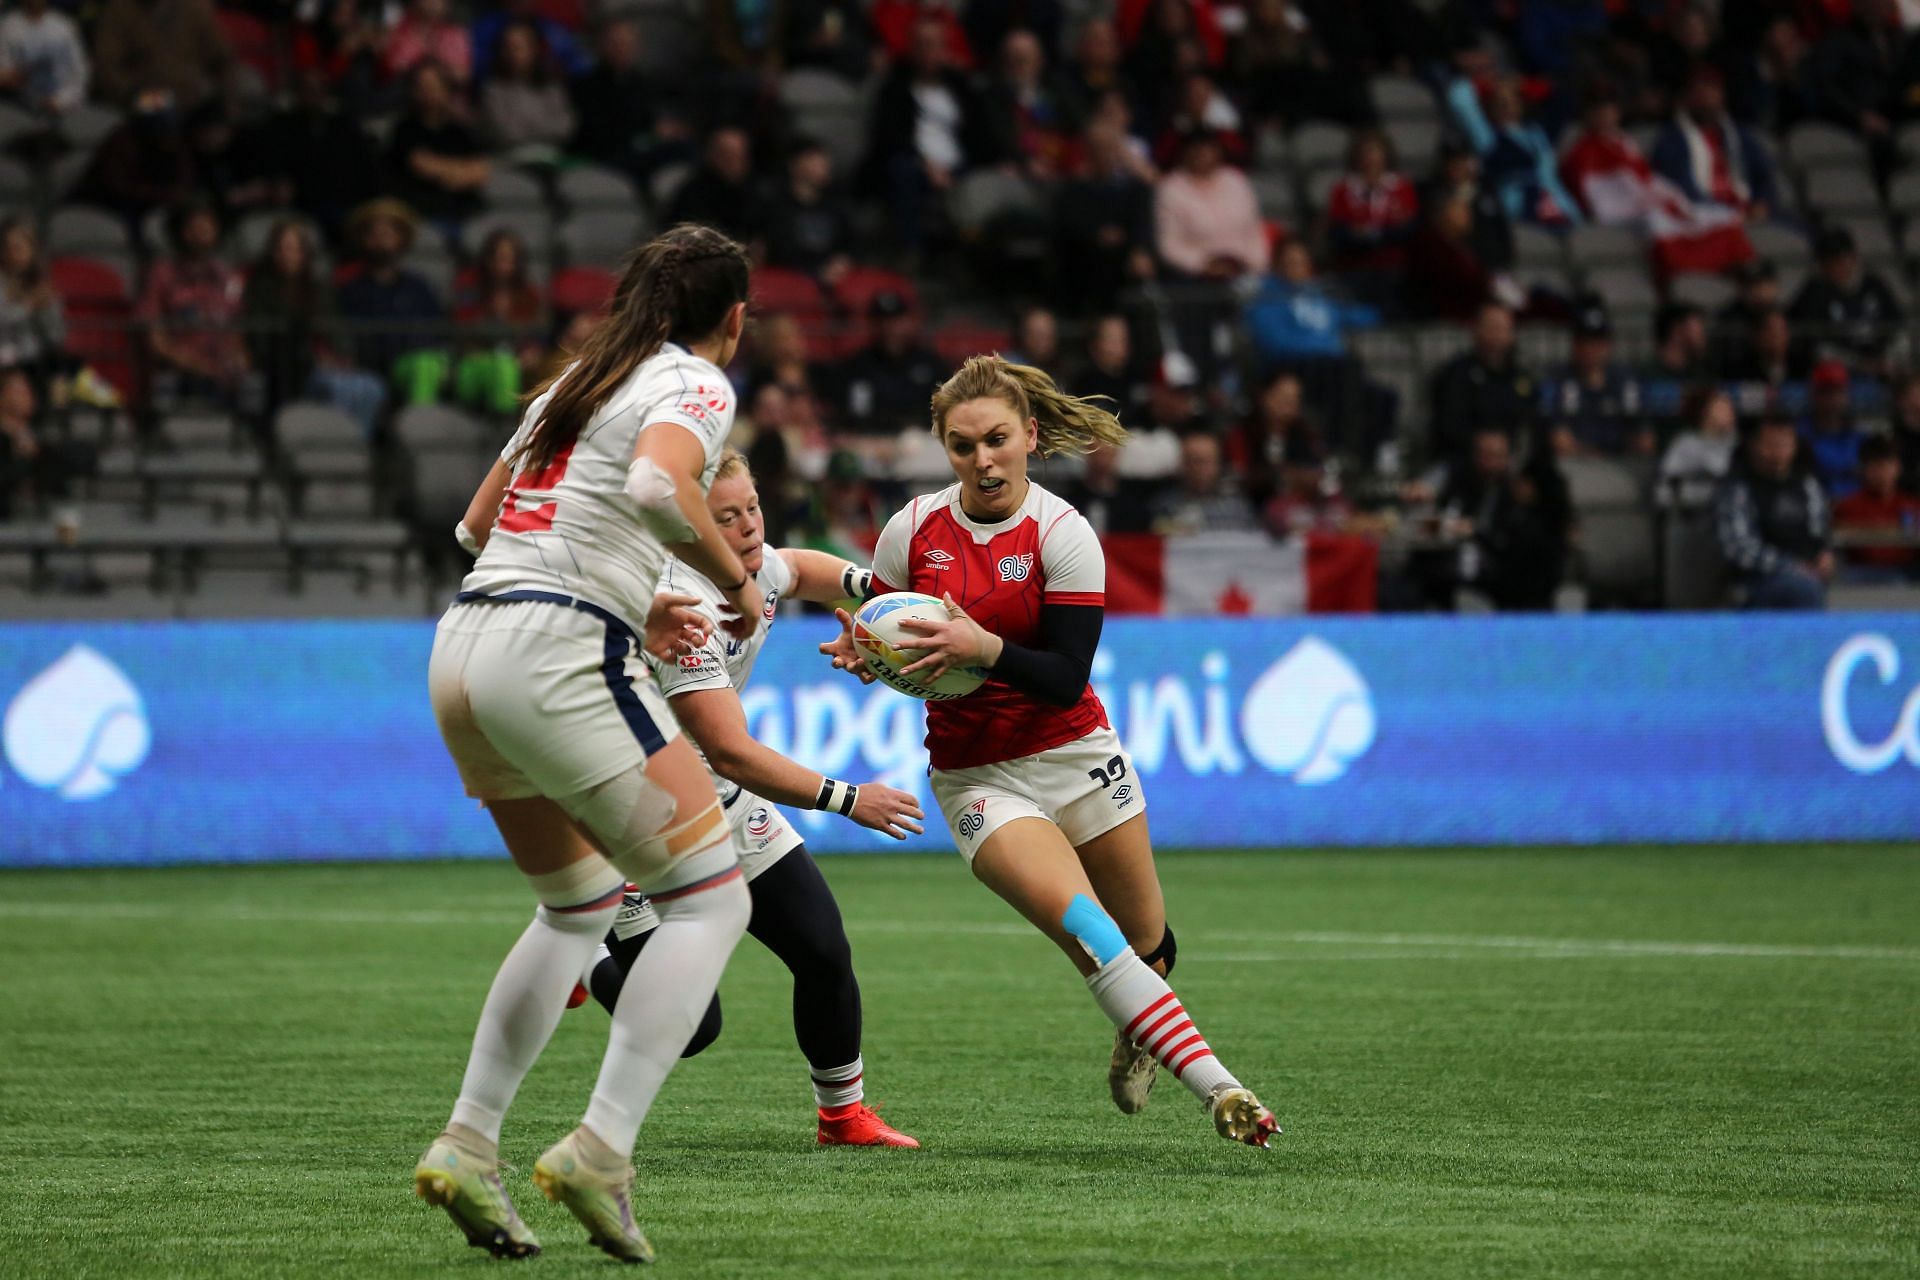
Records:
x=1616, y=183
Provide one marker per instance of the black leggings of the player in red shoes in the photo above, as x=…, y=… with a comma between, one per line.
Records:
x=796, y=918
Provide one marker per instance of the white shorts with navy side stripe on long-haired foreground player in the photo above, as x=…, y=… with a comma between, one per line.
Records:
x=542, y=699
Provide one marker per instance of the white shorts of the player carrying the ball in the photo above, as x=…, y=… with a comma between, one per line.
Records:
x=1084, y=788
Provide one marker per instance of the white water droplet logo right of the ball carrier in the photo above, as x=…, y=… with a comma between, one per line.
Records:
x=1310, y=715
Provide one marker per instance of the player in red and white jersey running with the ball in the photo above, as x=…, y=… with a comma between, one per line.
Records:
x=1034, y=782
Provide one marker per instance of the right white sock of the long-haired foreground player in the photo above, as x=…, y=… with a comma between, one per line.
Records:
x=665, y=999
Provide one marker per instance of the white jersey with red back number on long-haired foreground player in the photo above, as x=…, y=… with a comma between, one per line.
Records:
x=571, y=527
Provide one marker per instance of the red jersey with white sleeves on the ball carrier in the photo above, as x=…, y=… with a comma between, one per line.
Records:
x=1001, y=573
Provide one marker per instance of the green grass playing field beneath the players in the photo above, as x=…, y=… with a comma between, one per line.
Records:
x=1489, y=1064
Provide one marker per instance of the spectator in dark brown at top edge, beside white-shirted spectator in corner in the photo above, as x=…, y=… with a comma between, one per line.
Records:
x=174, y=45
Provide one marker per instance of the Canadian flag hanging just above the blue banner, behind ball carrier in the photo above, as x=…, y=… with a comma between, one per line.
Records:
x=1239, y=575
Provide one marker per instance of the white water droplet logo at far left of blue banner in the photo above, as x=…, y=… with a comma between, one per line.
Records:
x=78, y=726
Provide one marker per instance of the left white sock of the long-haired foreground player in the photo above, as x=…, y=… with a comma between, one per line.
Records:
x=523, y=1008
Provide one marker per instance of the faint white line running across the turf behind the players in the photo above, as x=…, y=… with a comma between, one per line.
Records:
x=1412, y=941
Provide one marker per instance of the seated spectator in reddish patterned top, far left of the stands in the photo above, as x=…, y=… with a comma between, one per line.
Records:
x=191, y=306
